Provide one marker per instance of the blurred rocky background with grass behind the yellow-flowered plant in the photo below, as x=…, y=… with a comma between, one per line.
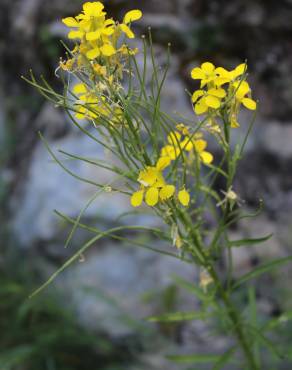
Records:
x=92, y=318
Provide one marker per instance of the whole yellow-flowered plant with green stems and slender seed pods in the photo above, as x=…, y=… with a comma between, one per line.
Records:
x=165, y=162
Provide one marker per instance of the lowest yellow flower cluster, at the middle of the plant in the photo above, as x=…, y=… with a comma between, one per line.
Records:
x=154, y=187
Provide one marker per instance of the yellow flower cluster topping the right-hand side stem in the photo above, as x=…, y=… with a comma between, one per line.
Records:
x=221, y=89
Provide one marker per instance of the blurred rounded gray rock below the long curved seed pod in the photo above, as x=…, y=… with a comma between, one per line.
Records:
x=108, y=289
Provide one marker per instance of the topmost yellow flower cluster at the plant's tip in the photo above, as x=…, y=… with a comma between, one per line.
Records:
x=98, y=38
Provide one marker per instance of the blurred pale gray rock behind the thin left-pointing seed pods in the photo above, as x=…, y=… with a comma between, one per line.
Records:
x=49, y=187
